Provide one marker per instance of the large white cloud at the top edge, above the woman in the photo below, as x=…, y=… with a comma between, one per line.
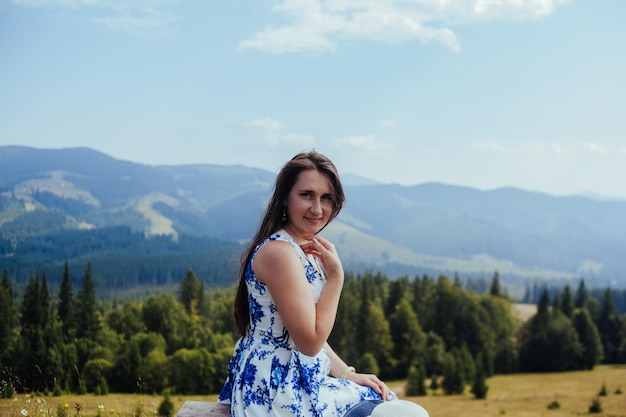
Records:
x=318, y=25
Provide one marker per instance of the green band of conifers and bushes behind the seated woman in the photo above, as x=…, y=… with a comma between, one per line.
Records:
x=420, y=329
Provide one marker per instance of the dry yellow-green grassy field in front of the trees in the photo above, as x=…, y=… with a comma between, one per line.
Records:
x=521, y=395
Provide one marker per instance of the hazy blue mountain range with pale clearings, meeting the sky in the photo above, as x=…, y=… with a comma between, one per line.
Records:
x=427, y=228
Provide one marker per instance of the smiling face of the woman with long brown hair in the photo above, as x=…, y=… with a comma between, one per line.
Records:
x=309, y=204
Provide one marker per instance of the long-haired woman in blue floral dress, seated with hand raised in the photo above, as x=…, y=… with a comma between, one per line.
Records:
x=289, y=287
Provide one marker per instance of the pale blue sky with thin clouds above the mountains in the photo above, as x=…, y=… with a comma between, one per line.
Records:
x=480, y=93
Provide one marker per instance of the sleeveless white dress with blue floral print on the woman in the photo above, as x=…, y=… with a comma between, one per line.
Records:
x=267, y=376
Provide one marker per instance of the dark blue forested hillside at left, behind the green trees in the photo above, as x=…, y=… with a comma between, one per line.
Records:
x=124, y=259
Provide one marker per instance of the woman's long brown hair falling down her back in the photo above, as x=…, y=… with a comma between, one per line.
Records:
x=273, y=221
